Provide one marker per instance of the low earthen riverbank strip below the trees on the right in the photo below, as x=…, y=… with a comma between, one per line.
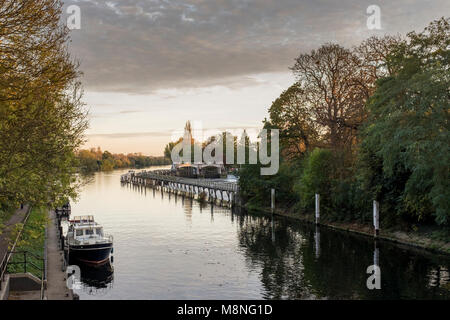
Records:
x=422, y=240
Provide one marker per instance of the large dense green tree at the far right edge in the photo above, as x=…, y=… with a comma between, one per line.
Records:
x=405, y=151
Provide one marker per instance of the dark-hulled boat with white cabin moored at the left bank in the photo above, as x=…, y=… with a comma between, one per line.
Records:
x=86, y=241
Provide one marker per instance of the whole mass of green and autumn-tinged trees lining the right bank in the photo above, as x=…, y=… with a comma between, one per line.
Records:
x=397, y=147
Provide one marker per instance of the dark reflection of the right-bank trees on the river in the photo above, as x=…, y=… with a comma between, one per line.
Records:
x=301, y=263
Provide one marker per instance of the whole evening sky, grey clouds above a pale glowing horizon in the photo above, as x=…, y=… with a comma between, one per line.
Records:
x=150, y=65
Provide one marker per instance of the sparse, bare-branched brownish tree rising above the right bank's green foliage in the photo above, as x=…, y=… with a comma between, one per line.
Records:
x=334, y=84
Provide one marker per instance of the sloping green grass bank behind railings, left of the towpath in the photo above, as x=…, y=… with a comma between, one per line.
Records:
x=32, y=241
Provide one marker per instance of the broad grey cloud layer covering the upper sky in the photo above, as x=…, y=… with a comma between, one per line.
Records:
x=139, y=46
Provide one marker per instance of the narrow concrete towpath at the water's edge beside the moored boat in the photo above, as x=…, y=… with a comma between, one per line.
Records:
x=56, y=280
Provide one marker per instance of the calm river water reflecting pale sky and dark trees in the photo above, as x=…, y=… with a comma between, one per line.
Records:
x=168, y=247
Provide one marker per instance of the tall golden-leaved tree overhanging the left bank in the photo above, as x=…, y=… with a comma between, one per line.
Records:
x=42, y=117
